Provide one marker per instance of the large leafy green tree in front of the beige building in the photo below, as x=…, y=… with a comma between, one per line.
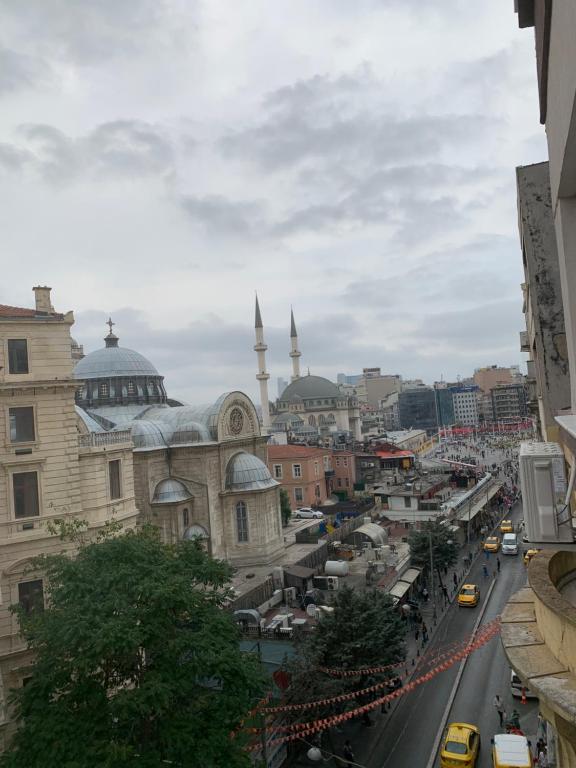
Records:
x=136, y=662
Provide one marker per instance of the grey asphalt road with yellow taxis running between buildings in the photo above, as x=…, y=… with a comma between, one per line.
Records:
x=407, y=738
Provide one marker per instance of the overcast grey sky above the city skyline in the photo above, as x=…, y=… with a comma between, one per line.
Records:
x=162, y=160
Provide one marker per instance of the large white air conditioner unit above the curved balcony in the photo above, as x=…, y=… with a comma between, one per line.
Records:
x=543, y=484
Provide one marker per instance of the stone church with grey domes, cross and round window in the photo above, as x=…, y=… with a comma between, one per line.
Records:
x=199, y=471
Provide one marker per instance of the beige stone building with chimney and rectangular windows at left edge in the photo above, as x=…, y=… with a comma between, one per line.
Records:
x=54, y=466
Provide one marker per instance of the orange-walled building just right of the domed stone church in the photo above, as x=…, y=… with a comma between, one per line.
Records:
x=305, y=473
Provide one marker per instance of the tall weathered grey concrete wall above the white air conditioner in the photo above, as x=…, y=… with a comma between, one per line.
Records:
x=545, y=336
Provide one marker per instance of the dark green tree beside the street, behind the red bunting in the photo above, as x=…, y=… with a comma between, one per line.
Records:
x=364, y=630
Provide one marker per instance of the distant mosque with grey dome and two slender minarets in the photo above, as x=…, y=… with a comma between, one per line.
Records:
x=310, y=405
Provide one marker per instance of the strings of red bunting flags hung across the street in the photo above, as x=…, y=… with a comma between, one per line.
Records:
x=297, y=731
